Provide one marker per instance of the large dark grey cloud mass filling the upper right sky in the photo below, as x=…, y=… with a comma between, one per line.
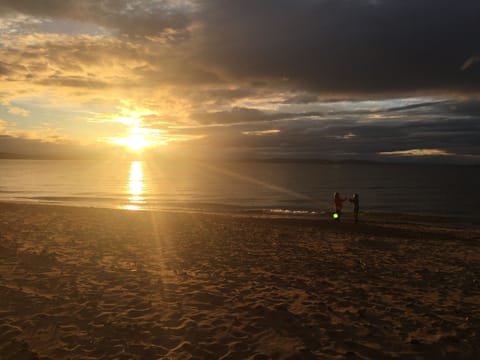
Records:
x=359, y=48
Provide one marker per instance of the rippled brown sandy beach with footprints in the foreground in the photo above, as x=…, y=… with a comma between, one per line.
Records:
x=79, y=283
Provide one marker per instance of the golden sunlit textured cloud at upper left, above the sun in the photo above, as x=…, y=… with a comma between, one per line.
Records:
x=67, y=64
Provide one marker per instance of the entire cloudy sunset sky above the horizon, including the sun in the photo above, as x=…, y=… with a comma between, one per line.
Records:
x=380, y=80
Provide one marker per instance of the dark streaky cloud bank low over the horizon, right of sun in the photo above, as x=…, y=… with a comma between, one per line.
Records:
x=353, y=137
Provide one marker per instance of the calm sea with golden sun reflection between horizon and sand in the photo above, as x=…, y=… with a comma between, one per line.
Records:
x=296, y=189
